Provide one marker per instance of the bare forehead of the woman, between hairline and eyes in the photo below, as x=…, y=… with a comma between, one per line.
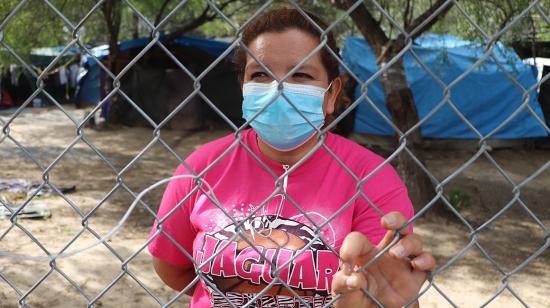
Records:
x=287, y=48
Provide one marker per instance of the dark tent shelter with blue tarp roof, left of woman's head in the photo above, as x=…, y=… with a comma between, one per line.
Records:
x=157, y=85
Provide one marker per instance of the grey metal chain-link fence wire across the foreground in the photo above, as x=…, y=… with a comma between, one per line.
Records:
x=115, y=88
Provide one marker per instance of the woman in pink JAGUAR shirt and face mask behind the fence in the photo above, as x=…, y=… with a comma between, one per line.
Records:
x=250, y=237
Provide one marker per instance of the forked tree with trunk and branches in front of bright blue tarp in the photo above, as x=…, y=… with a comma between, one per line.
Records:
x=399, y=97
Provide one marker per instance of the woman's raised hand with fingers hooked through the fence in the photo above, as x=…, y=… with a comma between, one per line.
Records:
x=394, y=279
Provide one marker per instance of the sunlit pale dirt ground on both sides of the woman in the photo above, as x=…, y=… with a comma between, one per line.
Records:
x=469, y=282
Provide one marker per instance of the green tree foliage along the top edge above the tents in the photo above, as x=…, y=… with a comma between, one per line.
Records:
x=37, y=25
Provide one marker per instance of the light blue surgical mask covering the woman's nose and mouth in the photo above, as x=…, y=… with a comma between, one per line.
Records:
x=280, y=125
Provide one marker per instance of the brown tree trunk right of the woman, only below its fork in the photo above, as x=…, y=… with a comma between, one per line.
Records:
x=400, y=103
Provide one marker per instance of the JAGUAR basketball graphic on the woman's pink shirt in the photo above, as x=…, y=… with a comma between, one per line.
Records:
x=237, y=271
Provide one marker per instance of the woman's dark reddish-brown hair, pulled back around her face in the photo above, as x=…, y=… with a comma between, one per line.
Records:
x=282, y=19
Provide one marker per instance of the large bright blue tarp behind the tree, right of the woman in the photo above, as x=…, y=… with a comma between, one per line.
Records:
x=486, y=97
